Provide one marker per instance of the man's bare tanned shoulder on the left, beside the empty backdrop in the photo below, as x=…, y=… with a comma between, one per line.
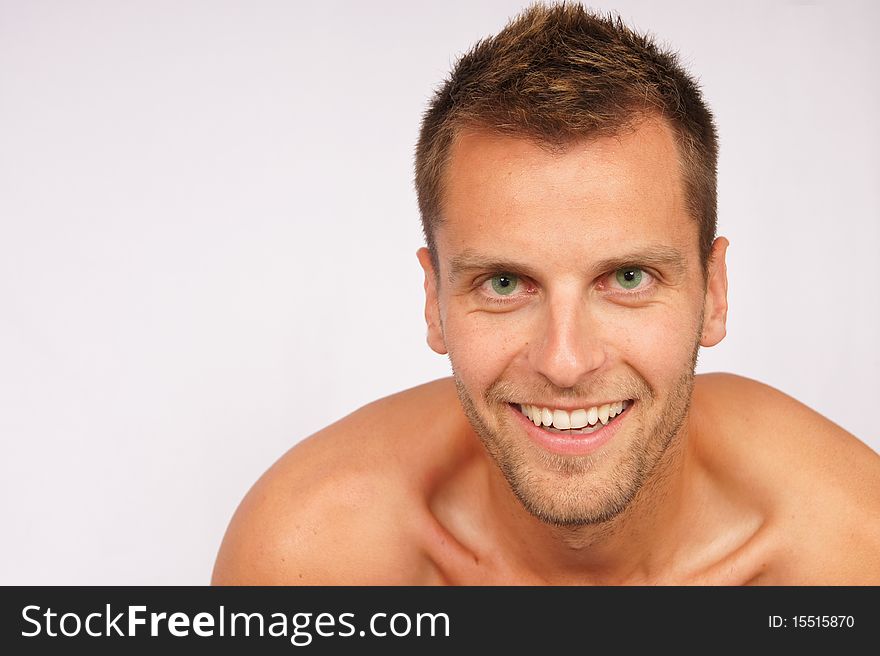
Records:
x=343, y=506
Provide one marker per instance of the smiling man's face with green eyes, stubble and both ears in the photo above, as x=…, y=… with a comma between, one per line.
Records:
x=570, y=284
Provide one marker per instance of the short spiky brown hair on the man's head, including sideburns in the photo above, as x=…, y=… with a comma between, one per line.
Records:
x=558, y=73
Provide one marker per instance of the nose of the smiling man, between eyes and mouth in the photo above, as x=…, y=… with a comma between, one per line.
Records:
x=569, y=345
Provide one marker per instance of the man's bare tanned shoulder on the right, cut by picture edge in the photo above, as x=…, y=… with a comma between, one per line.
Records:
x=817, y=484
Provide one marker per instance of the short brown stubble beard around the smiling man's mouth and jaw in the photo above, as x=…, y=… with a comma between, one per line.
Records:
x=572, y=491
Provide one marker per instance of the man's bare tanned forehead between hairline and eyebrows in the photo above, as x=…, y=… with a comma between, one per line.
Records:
x=606, y=194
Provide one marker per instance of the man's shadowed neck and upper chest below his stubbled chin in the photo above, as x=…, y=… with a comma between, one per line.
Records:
x=631, y=547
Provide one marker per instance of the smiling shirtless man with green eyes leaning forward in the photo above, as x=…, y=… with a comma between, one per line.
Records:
x=566, y=180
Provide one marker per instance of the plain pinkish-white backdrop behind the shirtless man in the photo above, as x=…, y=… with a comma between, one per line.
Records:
x=208, y=228
